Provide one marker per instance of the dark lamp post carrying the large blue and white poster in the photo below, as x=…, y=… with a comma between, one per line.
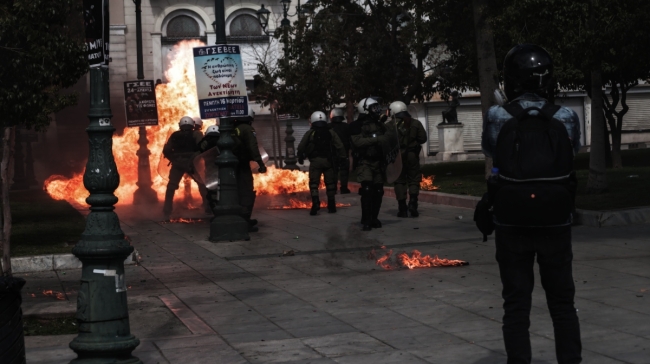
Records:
x=228, y=224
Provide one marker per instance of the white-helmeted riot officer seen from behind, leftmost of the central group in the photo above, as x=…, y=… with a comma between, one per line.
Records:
x=322, y=146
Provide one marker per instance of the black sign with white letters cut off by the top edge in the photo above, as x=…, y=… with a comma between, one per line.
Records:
x=96, y=23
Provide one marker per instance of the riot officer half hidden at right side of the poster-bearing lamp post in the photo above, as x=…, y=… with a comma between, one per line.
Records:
x=246, y=150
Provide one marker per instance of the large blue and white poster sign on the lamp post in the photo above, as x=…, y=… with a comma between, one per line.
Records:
x=220, y=83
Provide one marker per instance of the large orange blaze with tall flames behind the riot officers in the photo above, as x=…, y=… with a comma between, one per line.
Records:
x=175, y=99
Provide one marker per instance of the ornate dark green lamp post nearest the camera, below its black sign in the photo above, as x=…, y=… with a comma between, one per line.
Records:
x=102, y=313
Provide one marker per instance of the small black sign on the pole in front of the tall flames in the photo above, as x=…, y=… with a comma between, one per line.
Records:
x=140, y=103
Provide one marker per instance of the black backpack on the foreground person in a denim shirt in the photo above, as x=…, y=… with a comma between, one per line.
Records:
x=536, y=183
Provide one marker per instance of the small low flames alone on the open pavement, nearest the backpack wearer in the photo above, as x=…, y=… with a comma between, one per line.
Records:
x=389, y=261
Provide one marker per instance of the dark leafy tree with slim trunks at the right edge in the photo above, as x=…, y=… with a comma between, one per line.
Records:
x=594, y=43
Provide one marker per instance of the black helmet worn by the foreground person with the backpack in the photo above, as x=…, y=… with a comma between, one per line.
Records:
x=527, y=68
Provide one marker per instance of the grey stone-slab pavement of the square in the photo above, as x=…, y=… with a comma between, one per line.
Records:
x=193, y=301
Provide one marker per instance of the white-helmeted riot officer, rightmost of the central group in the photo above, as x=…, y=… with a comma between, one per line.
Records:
x=411, y=135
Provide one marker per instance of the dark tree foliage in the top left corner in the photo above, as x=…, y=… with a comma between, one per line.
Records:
x=41, y=53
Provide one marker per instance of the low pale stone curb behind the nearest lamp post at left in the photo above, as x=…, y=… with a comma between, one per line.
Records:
x=48, y=262
